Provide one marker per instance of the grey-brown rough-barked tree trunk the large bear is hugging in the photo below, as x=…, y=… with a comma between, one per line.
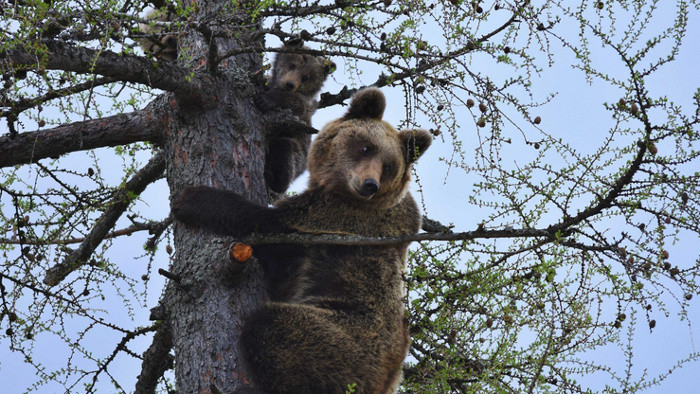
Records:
x=213, y=139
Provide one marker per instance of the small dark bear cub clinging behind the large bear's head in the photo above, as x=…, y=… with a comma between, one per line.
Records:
x=295, y=82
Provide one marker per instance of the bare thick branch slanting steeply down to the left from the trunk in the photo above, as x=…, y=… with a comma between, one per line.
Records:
x=123, y=198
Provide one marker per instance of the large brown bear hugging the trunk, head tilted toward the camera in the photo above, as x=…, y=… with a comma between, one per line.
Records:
x=337, y=317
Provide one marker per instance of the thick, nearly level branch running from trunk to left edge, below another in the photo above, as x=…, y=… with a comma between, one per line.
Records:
x=114, y=130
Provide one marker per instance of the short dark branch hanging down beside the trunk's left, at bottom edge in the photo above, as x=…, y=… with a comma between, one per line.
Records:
x=156, y=360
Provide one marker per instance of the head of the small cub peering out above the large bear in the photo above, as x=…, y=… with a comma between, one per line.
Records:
x=301, y=73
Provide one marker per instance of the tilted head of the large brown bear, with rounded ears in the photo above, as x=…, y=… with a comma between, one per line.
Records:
x=364, y=159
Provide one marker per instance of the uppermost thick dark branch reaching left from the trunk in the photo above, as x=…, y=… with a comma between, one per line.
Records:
x=128, y=68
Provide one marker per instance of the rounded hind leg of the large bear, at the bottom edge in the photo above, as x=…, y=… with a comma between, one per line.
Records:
x=295, y=348
